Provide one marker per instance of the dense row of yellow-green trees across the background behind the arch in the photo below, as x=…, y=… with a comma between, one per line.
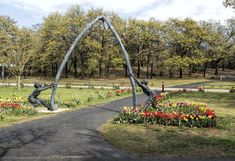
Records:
x=172, y=47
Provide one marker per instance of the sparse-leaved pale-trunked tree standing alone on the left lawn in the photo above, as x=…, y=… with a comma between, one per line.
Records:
x=19, y=48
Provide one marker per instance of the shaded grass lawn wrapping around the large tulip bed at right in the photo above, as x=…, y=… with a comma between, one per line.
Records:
x=181, y=141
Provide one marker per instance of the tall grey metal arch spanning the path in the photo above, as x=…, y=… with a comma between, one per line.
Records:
x=67, y=55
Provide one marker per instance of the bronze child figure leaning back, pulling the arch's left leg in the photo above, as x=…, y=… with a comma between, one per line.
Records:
x=33, y=98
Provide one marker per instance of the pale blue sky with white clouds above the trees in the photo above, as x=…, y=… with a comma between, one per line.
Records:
x=29, y=12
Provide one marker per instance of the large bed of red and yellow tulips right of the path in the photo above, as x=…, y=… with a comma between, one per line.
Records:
x=191, y=114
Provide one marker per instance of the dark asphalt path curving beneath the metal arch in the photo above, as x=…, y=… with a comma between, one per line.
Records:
x=67, y=136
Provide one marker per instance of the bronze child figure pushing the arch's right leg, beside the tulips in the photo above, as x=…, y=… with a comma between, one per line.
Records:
x=150, y=93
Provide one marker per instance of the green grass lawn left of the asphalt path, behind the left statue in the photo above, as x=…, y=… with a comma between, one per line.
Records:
x=65, y=97
